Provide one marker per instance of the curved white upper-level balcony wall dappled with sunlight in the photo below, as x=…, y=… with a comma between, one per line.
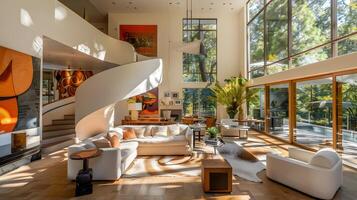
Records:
x=23, y=23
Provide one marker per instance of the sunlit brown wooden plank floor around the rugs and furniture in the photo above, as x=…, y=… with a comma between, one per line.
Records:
x=46, y=179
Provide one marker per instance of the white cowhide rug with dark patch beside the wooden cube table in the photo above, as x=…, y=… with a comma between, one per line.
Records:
x=243, y=163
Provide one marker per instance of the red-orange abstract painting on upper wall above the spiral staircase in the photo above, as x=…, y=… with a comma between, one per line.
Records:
x=142, y=37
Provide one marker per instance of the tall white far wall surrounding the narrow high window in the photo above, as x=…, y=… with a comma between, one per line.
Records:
x=230, y=45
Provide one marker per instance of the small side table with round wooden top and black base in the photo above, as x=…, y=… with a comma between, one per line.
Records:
x=85, y=175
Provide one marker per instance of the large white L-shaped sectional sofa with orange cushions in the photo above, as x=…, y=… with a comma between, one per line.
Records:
x=169, y=140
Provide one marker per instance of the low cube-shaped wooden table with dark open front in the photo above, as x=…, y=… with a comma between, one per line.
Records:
x=216, y=175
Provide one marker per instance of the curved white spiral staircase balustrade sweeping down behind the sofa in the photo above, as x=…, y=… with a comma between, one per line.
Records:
x=96, y=97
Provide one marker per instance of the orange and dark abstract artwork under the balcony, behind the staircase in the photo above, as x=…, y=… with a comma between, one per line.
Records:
x=69, y=81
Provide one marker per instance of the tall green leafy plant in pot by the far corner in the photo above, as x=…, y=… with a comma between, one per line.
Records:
x=232, y=95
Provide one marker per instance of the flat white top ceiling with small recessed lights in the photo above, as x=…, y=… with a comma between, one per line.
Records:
x=116, y=6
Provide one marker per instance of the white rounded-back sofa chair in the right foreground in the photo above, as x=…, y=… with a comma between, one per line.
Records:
x=317, y=174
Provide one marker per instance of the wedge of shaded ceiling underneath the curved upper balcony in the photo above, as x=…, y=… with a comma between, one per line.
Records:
x=59, y=56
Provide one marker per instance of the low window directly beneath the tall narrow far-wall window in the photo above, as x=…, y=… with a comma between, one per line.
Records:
x=199, y=102
